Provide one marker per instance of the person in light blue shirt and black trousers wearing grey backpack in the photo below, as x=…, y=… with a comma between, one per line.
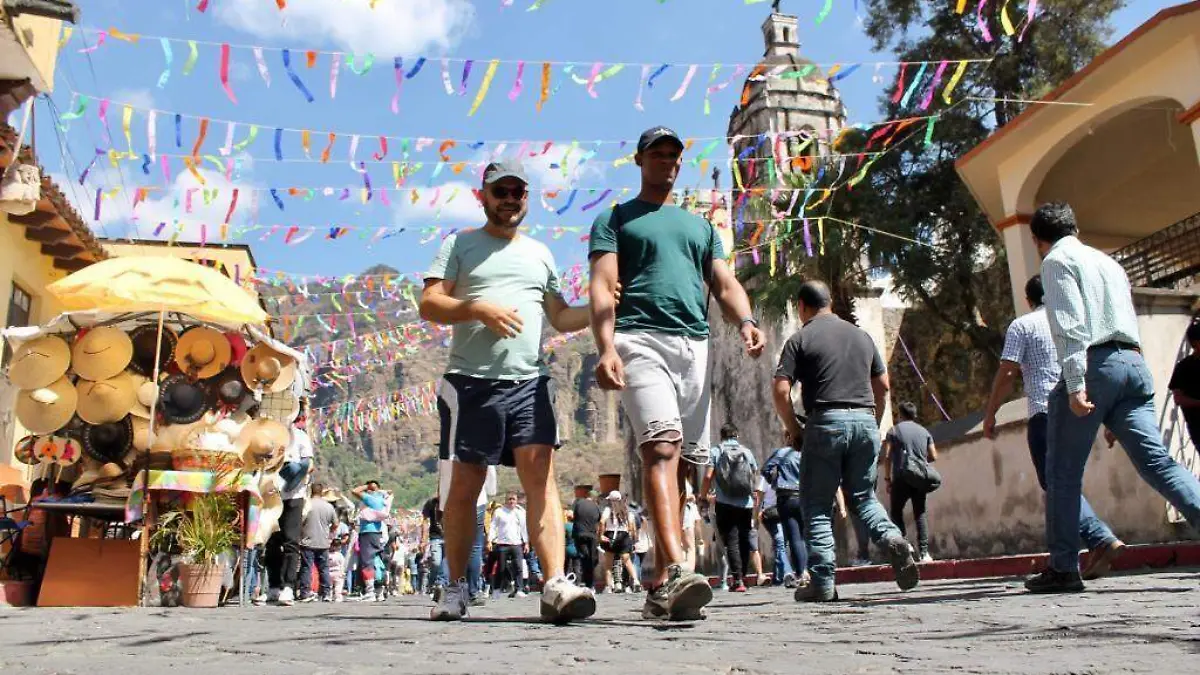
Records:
x=734, y=471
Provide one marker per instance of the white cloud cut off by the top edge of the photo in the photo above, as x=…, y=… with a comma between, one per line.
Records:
x=392, y=28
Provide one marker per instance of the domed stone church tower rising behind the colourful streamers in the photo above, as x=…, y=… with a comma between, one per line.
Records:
x=789, y=114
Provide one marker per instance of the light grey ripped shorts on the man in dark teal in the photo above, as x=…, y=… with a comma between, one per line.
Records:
x=668, y=389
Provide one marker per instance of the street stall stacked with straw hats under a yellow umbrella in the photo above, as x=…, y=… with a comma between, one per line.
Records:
x=160, y=386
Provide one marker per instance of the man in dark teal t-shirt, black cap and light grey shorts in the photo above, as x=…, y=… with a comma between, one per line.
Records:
x=655, y=345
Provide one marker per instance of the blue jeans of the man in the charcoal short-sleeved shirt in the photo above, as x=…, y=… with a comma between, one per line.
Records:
x=841, y=446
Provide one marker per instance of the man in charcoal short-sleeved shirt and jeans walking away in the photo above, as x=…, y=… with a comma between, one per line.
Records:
x=843, y=385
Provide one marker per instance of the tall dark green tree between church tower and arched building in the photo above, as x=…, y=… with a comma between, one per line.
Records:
x=958, y=268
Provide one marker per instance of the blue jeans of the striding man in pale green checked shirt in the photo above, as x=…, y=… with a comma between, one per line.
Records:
x=1121, y=389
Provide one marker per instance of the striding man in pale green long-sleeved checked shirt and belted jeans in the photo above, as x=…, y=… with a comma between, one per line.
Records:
x=1105, y=381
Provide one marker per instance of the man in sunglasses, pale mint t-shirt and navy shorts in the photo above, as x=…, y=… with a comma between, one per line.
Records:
x=495, y=286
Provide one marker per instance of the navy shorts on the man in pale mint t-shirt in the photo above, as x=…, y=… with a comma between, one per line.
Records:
x=484, y=421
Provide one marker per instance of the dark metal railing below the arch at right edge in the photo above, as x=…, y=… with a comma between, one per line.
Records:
x=1168, y=259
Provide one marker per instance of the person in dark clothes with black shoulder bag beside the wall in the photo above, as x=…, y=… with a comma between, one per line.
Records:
x=909, y=439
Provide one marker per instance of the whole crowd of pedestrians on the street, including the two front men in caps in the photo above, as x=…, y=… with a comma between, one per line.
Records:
x=656, y=268
